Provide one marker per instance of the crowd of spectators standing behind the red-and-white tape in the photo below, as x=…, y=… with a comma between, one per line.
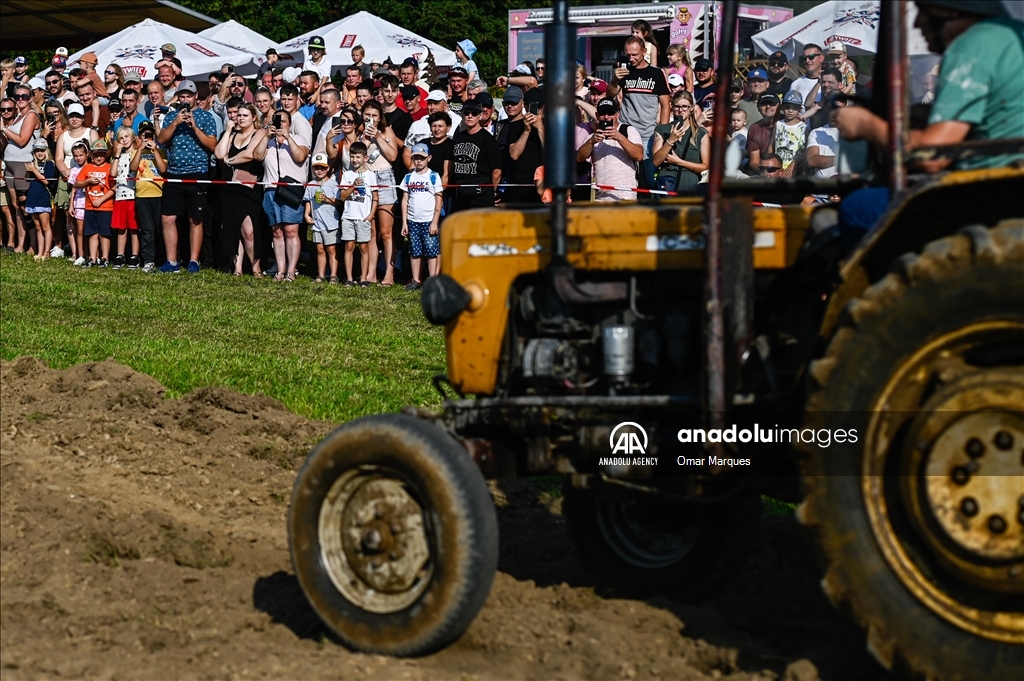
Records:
x=373, y=164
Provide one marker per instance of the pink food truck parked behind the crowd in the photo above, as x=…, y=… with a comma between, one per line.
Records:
x=601, y=30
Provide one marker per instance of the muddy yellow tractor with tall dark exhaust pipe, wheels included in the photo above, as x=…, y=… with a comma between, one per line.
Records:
x=678, y=360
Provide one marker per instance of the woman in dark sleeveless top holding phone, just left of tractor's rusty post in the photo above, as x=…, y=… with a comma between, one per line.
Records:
x=682, y=149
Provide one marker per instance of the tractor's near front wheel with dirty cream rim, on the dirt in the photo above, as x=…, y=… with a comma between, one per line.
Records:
x=394, y=536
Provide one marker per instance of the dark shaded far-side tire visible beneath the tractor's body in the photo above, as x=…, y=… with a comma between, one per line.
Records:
x=650, y=549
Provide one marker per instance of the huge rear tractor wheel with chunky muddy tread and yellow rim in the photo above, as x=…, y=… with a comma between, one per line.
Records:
x=921, y=521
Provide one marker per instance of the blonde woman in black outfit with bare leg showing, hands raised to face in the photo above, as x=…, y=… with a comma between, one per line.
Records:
x=243, y=199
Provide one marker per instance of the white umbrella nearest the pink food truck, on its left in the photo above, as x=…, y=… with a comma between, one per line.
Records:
x=379, y=38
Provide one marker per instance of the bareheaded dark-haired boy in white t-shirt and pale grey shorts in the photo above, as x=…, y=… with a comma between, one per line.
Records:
x=360, y=196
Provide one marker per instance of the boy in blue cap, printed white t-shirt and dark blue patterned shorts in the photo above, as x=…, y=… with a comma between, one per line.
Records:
x=421, y=206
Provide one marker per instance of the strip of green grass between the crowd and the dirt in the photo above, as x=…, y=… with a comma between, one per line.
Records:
x=325, y=352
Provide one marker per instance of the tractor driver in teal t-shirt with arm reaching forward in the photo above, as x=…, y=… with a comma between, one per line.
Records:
x=978, y=97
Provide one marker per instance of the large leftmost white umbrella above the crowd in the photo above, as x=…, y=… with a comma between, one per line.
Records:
x=137, y=50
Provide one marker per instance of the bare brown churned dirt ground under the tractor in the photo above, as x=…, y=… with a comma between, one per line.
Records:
x=144, y=538
